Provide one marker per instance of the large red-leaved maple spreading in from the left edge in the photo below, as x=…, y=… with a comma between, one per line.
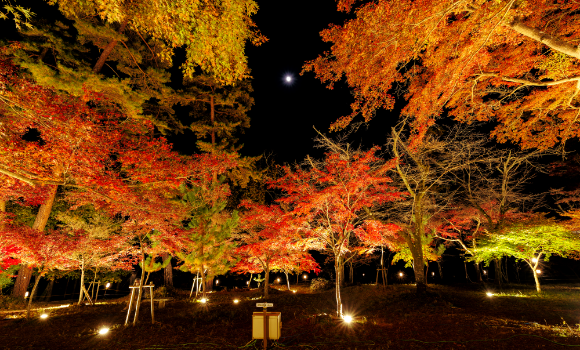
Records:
x=101, y=157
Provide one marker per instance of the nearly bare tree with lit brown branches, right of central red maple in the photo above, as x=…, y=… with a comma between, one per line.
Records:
x=425, y=171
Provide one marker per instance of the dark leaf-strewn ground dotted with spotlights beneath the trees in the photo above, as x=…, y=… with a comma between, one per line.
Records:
x=448, y=317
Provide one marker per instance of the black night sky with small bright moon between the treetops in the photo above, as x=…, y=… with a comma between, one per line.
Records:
x=283, y=116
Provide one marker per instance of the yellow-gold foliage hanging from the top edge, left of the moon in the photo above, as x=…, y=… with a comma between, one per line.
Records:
x=213, y=33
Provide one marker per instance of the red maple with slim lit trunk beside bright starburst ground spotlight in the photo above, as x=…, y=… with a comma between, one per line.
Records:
x=329, y=199
